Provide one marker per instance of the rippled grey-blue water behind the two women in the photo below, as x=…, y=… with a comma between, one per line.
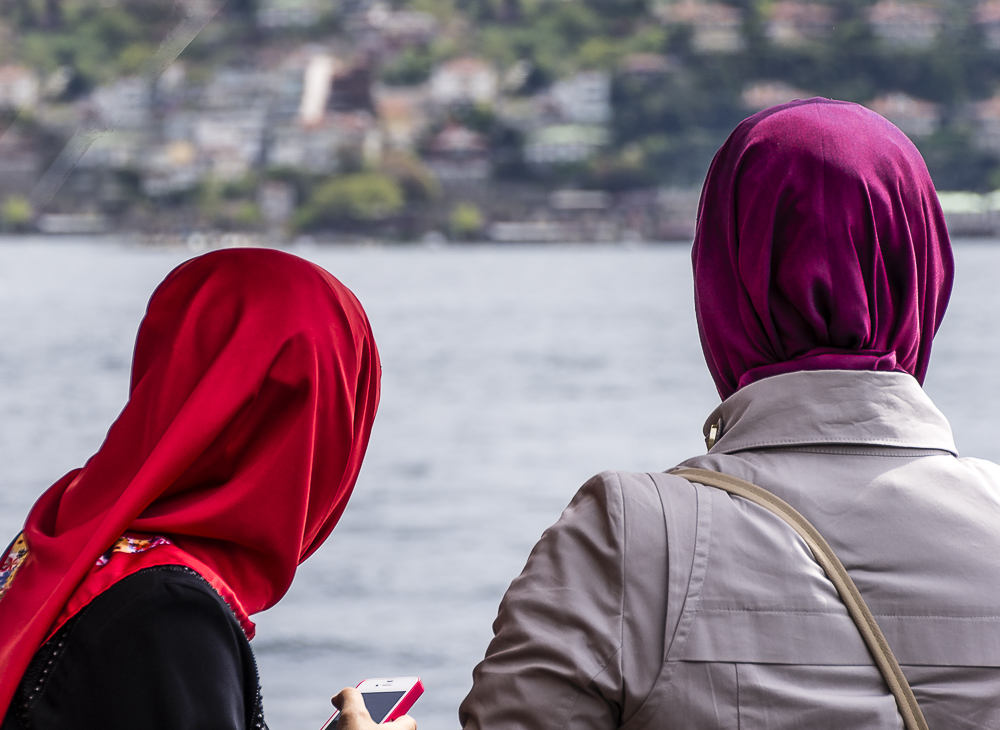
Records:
x=511, y=374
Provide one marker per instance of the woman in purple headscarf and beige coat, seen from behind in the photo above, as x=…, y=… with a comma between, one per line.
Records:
x=822, y=271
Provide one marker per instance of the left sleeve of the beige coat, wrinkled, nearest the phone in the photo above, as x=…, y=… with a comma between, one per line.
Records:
x=556, y=660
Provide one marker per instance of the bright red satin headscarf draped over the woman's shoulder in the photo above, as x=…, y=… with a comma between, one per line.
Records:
x=254, y=385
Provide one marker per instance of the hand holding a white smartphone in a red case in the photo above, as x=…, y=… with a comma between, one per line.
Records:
x=384, y=699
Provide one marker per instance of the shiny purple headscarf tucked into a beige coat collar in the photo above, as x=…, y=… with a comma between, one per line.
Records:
x=820, y=245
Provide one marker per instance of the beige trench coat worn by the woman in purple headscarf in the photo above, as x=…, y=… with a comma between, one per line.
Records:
x=655, y=603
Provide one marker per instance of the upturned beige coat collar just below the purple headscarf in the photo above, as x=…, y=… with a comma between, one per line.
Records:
x=830, y=407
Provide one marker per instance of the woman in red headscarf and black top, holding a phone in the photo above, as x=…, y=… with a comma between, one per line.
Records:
x=126, y=601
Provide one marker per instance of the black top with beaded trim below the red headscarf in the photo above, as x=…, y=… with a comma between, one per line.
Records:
x=159, y=650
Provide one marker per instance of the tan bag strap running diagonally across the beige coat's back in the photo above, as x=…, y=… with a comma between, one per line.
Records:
x=913, y=718
